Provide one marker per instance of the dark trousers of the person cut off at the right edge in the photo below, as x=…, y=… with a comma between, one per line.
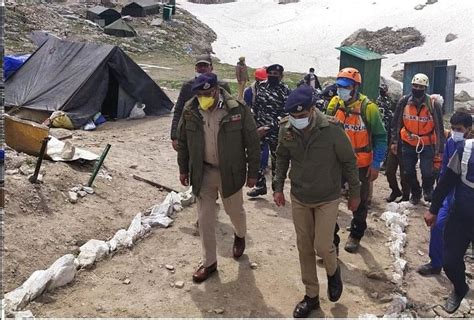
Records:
x=458, y=234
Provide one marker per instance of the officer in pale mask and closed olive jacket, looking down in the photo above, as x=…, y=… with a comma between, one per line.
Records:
x=320, y=154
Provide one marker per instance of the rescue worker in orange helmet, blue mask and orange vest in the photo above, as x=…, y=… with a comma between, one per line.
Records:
x=363, y=125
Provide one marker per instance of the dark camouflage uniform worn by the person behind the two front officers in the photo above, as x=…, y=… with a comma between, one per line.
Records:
x=269, y=110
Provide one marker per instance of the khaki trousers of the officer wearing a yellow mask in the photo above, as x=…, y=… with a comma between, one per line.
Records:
x=206, y=206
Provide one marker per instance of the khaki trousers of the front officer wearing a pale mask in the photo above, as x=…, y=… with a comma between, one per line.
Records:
x=314, y=226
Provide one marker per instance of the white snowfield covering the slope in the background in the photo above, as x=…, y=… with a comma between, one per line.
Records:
x=305, y=34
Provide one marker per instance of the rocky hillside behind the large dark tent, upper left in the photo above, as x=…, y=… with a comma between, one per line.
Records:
x=184, y=35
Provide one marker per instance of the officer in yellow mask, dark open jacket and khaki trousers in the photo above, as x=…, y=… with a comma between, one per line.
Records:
x=218, y=151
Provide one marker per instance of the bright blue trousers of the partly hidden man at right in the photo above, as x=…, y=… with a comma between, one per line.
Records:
x=436, y=238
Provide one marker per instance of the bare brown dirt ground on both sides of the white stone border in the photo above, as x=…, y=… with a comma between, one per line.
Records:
x=42, y=226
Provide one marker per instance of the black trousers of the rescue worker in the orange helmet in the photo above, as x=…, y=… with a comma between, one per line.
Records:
x=359, y=217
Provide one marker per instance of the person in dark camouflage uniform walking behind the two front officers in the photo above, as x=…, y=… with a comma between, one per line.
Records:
x=269, y=110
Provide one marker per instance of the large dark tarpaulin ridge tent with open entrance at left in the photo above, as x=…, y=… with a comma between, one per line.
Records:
x=82, y=79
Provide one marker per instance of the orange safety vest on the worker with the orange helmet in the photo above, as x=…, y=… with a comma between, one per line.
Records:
x=354, y=121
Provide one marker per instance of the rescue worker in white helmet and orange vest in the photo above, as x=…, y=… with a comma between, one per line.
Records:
x=418, y=124
